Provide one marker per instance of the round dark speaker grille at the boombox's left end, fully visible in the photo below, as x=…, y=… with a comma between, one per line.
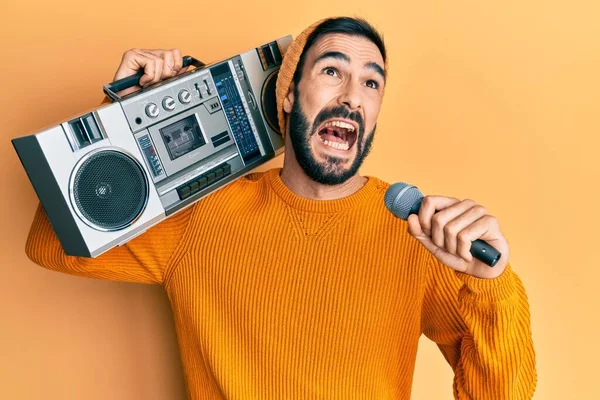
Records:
x=110, y=190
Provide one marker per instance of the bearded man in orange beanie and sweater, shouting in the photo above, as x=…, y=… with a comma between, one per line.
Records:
x=298, y=283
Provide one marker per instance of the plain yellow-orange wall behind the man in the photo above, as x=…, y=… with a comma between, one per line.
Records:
x=497, y=101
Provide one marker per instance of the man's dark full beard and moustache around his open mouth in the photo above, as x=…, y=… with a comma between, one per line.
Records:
x=331, y=171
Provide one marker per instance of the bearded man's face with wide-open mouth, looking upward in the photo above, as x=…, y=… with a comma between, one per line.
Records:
x=334, y=109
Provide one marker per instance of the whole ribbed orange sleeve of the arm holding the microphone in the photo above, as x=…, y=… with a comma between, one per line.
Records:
x=482, y=327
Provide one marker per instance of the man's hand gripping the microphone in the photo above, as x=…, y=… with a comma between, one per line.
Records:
x=448, y=234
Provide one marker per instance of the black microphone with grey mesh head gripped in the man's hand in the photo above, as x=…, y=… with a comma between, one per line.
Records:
x=403, y=199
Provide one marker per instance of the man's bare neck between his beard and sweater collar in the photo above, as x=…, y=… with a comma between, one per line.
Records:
x=294, y=177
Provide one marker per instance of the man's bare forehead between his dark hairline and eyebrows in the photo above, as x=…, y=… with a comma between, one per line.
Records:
x=357, y=48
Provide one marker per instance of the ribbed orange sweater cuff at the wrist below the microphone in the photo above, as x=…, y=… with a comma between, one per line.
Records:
x=488, y=290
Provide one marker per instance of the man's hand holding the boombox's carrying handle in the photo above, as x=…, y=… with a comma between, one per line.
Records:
x=157, y=65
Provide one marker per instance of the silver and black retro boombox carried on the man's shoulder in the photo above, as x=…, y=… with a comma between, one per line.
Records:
x=108, y=175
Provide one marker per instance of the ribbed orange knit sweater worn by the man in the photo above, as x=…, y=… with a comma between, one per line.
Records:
x=280, y=297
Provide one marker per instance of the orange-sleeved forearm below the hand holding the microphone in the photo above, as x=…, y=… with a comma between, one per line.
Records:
x=496, y=355
